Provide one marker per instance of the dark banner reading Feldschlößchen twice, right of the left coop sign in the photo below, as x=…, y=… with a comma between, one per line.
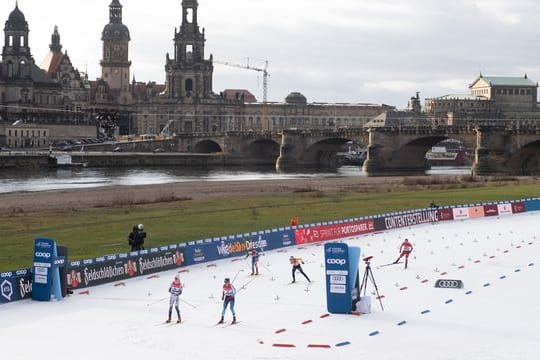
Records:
x=112, y=268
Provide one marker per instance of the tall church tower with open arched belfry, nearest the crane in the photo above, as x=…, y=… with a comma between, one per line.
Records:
x=188, y=74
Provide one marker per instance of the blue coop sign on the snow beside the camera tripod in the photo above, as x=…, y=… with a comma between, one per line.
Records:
x=341, y=272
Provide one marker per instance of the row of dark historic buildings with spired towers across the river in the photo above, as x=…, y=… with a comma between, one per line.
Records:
x=57, y=93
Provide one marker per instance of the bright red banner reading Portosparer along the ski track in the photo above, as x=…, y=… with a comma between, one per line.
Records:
x=333, y=231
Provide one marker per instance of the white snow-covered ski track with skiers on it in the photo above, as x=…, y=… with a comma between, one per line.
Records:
x=495, y=316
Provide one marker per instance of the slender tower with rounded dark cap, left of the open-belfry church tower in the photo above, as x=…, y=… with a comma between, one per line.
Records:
x=115, y=63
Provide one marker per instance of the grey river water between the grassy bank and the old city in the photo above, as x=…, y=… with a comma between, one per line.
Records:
x=74, y=178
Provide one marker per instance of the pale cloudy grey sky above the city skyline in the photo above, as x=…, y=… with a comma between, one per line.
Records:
x=377, y=51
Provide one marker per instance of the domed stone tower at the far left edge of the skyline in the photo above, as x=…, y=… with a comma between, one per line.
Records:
x=16, y=58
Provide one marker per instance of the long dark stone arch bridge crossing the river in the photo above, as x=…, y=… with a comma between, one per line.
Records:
x=513, y=150
